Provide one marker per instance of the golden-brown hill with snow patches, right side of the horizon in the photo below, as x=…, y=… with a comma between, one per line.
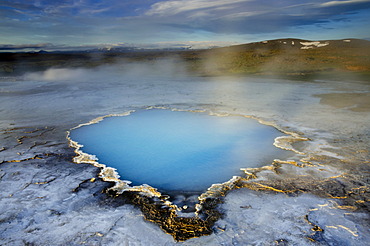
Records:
x=289, y=57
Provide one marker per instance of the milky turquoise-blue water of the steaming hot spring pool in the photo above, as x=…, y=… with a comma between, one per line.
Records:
x=181, y=151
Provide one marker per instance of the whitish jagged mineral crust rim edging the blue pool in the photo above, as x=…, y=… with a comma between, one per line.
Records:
x=109, y=174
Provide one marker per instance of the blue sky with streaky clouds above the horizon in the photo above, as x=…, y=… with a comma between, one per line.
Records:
x=58, y=24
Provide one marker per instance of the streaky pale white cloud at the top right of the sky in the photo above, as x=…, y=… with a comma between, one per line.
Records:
x=252, y=16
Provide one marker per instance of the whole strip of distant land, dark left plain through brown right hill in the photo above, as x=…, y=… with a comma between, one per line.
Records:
x=278, y=58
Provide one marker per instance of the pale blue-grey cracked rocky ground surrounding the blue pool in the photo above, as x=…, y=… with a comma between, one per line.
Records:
x=318, y=197
